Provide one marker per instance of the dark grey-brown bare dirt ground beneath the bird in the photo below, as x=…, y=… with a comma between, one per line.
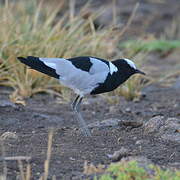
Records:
x=30, y=125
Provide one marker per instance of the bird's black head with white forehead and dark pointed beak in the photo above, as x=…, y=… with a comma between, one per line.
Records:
x=127, y=67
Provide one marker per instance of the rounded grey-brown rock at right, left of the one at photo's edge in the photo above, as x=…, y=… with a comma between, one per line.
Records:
x=154, y=124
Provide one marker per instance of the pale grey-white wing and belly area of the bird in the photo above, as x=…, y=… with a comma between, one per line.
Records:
x=82, y=82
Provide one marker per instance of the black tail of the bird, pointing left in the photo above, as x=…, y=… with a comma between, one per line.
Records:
x=35, y=63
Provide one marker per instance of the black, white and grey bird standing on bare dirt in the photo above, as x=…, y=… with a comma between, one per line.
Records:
x=85, y=75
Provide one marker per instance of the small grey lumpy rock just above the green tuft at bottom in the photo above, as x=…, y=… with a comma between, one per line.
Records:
x=118, y=155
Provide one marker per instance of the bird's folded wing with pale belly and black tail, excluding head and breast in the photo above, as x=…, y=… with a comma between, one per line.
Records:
x=82, y=74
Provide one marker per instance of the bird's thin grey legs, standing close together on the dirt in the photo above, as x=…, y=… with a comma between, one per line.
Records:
x=82, y=123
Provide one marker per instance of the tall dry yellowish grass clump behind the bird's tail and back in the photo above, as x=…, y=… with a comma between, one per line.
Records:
x=31, y=28
